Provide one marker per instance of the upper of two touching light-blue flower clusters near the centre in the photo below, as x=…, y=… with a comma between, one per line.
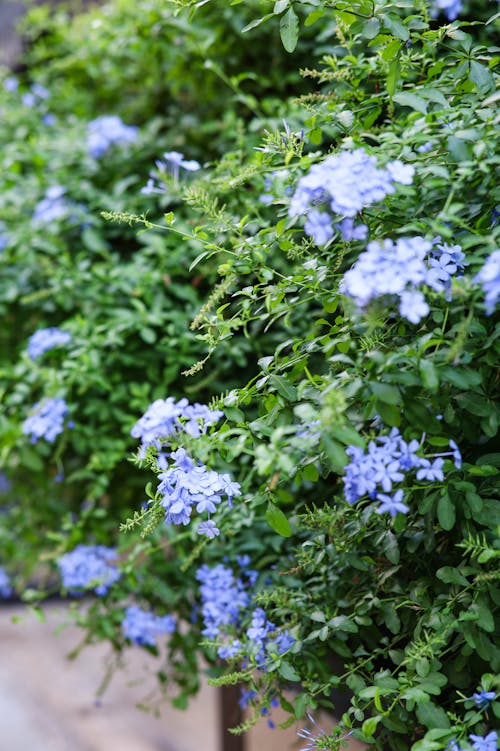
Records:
x=165, y=417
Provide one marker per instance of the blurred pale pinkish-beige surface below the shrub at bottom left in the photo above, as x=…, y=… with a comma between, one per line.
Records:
x=47, y=702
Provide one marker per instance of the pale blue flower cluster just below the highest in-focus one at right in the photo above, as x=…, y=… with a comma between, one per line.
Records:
x=399, y=269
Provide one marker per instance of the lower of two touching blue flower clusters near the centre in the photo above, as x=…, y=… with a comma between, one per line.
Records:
x=185, y=484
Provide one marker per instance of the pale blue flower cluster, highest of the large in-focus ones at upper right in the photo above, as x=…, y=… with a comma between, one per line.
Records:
x=343, y=184
